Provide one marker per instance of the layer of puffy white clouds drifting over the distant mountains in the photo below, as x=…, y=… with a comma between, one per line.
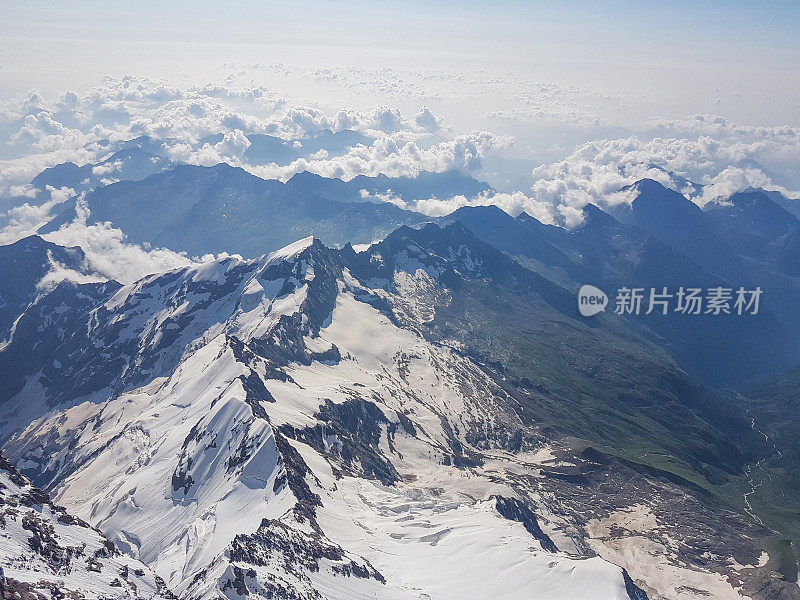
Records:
x=705, y=157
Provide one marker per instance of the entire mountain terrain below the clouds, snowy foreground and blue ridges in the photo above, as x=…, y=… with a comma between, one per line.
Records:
x=366, y=402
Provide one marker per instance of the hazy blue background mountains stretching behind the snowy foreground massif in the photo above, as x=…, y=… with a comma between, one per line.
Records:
x=660, y=240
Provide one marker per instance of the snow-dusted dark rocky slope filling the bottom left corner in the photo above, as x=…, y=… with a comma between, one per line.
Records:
x=45, y=552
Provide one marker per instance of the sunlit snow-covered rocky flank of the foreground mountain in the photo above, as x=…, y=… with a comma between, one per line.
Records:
x=248, y=463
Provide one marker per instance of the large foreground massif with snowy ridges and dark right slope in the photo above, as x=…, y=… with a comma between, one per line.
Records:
x=323, y=423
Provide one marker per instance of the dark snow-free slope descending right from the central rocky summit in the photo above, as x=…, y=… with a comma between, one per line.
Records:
x=513, y=320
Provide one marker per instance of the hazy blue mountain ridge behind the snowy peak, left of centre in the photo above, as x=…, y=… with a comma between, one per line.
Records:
x=225, y=209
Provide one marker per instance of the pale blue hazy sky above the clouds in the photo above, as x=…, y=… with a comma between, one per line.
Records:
x=732, y=58
